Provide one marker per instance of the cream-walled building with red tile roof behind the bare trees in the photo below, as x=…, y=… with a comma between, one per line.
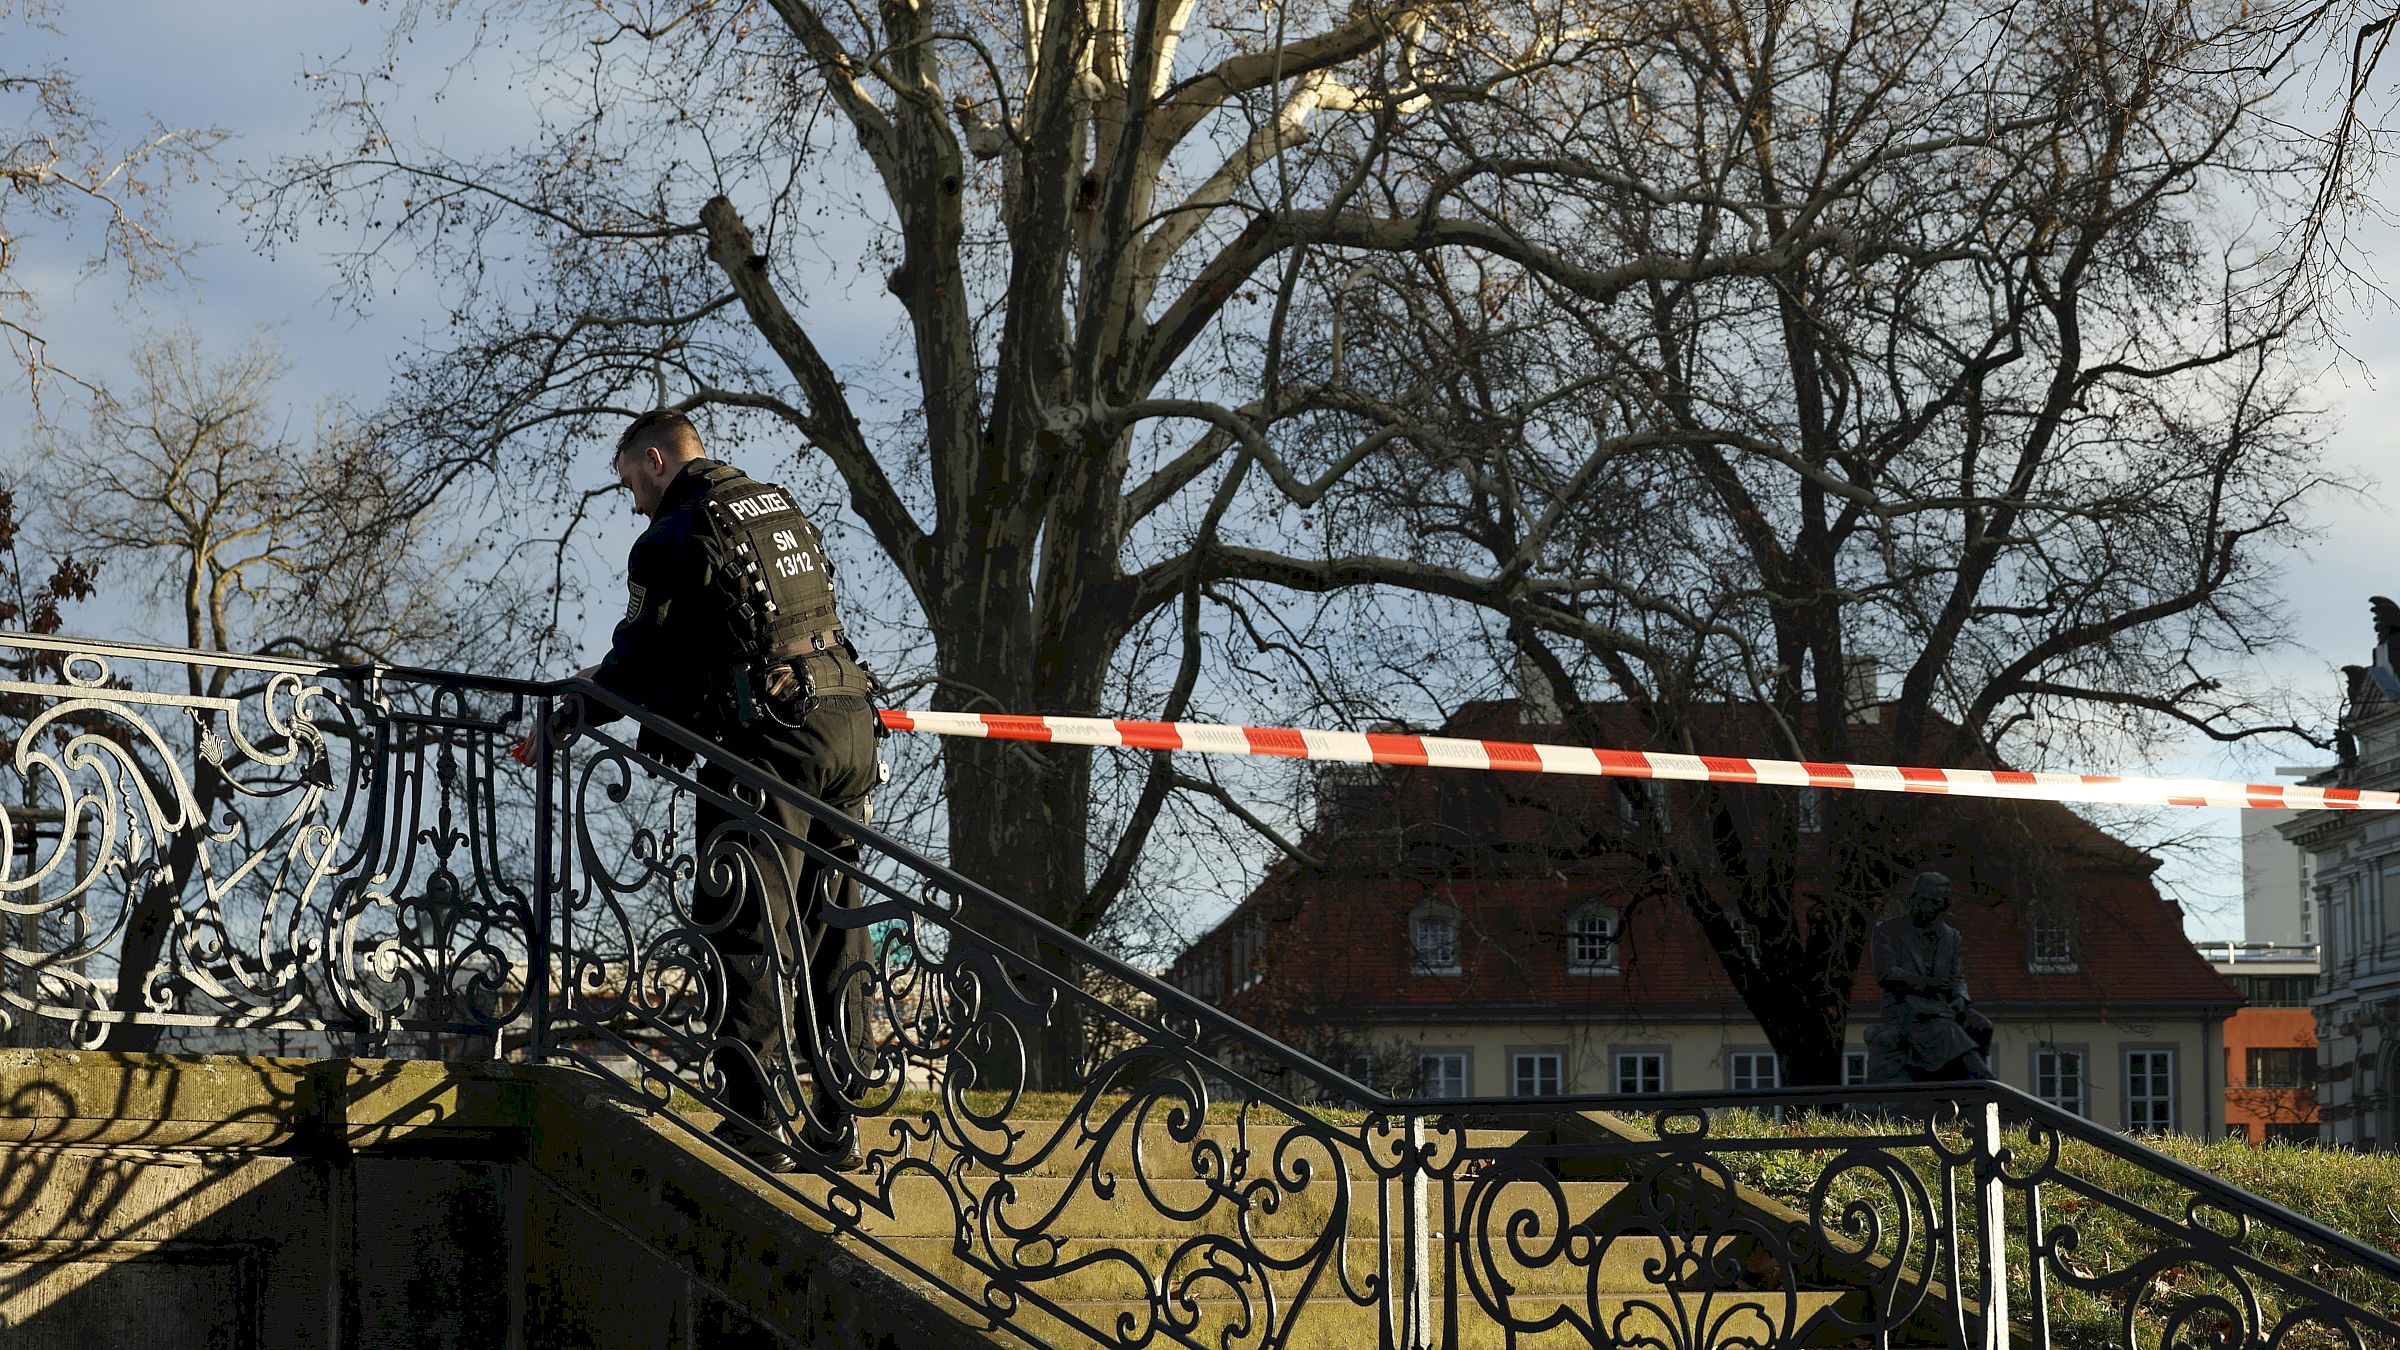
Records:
x=1496, y=936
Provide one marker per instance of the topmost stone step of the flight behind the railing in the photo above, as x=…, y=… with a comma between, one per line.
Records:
x=1216, y=1147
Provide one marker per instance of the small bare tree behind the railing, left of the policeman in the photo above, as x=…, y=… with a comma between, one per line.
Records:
x=248, y=539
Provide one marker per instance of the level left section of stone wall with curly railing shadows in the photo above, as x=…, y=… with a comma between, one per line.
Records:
x=224, y=1205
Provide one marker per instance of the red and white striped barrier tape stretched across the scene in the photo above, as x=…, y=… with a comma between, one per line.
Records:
x=1523, y=758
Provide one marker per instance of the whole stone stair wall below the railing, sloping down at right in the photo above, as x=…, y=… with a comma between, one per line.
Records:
x=248, y=1205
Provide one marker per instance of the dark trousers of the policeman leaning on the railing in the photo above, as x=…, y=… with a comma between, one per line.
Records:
x=786, y=1000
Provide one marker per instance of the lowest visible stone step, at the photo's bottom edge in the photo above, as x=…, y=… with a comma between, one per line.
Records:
x=1331, y=1322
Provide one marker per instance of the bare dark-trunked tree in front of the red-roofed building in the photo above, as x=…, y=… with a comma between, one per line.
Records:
x=2032, y=458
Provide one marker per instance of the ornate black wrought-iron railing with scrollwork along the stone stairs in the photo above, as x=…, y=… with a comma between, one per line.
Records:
x=426, y=808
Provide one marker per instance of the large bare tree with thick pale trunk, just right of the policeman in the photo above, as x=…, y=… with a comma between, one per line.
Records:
x=1103, y=227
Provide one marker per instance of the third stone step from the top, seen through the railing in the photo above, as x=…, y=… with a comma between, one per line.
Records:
x=1124, y=1270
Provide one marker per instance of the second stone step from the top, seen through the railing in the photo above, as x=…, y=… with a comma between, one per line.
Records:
x=930, y=1207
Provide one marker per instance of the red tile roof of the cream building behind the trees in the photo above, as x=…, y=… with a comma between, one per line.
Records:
x=1516, y=856
